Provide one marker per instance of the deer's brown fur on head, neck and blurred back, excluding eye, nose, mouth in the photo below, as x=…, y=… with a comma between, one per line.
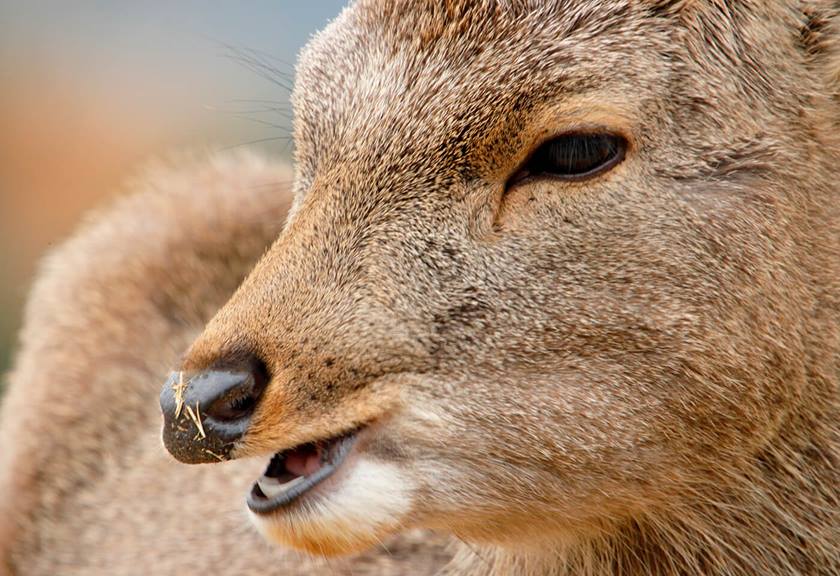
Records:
x=635, y=374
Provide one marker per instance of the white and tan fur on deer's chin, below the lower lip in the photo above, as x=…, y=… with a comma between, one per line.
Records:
x=353, y=514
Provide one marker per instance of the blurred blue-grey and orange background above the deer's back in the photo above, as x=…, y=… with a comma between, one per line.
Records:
x=90, y=90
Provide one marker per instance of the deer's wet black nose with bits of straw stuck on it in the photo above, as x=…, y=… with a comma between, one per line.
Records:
x=205, y=413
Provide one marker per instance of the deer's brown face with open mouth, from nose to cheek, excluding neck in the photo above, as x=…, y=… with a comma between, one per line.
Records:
x=542, y=271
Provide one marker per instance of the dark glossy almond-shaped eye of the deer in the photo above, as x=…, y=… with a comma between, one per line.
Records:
x=573, y=157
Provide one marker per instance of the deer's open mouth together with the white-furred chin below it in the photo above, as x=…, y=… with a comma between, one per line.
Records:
x=329, y=497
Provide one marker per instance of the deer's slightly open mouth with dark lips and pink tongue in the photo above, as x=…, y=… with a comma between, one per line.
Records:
x=293, y=472
